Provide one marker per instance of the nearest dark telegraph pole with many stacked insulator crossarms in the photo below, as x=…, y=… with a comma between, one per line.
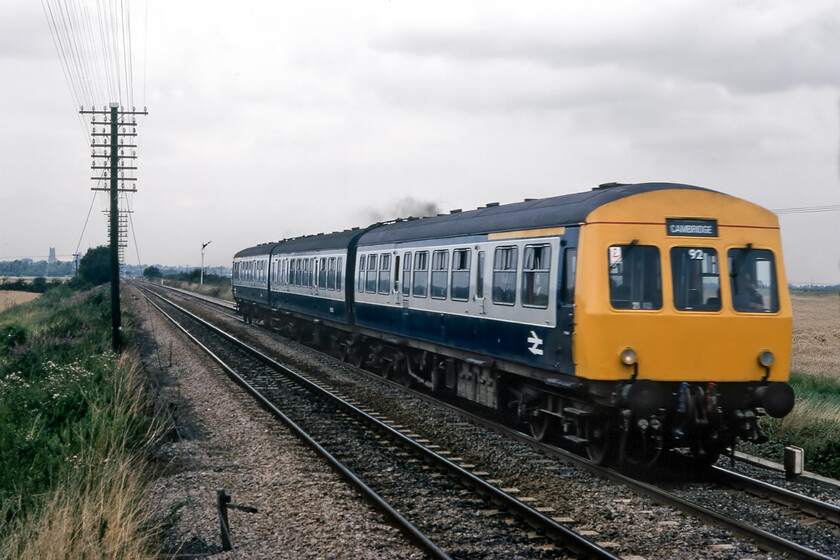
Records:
x=113, y=153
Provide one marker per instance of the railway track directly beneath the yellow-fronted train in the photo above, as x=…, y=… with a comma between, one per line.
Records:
x=822, y=516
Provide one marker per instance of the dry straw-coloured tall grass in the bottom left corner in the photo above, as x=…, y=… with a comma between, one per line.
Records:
x=97, y=507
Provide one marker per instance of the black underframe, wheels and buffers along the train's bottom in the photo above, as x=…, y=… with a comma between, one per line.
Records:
x=624, y=423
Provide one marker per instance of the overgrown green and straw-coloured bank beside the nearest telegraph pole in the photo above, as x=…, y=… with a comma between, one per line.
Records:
x=72, y=428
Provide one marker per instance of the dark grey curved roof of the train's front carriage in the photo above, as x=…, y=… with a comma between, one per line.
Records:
x=532, y=214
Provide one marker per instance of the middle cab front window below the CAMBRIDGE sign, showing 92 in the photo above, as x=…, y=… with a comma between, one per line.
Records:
x=696, y=278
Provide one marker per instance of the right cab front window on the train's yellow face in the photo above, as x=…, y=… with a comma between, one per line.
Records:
x=752, y=279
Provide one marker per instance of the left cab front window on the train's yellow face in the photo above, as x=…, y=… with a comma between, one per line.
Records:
x=635, y=277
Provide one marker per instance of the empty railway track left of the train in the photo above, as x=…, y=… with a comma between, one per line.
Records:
x=395, y=468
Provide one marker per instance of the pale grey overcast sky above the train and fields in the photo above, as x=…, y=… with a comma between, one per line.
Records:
x=275, y=119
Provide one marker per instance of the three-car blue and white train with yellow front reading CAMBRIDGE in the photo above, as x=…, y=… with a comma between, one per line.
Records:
x=627, y=320
